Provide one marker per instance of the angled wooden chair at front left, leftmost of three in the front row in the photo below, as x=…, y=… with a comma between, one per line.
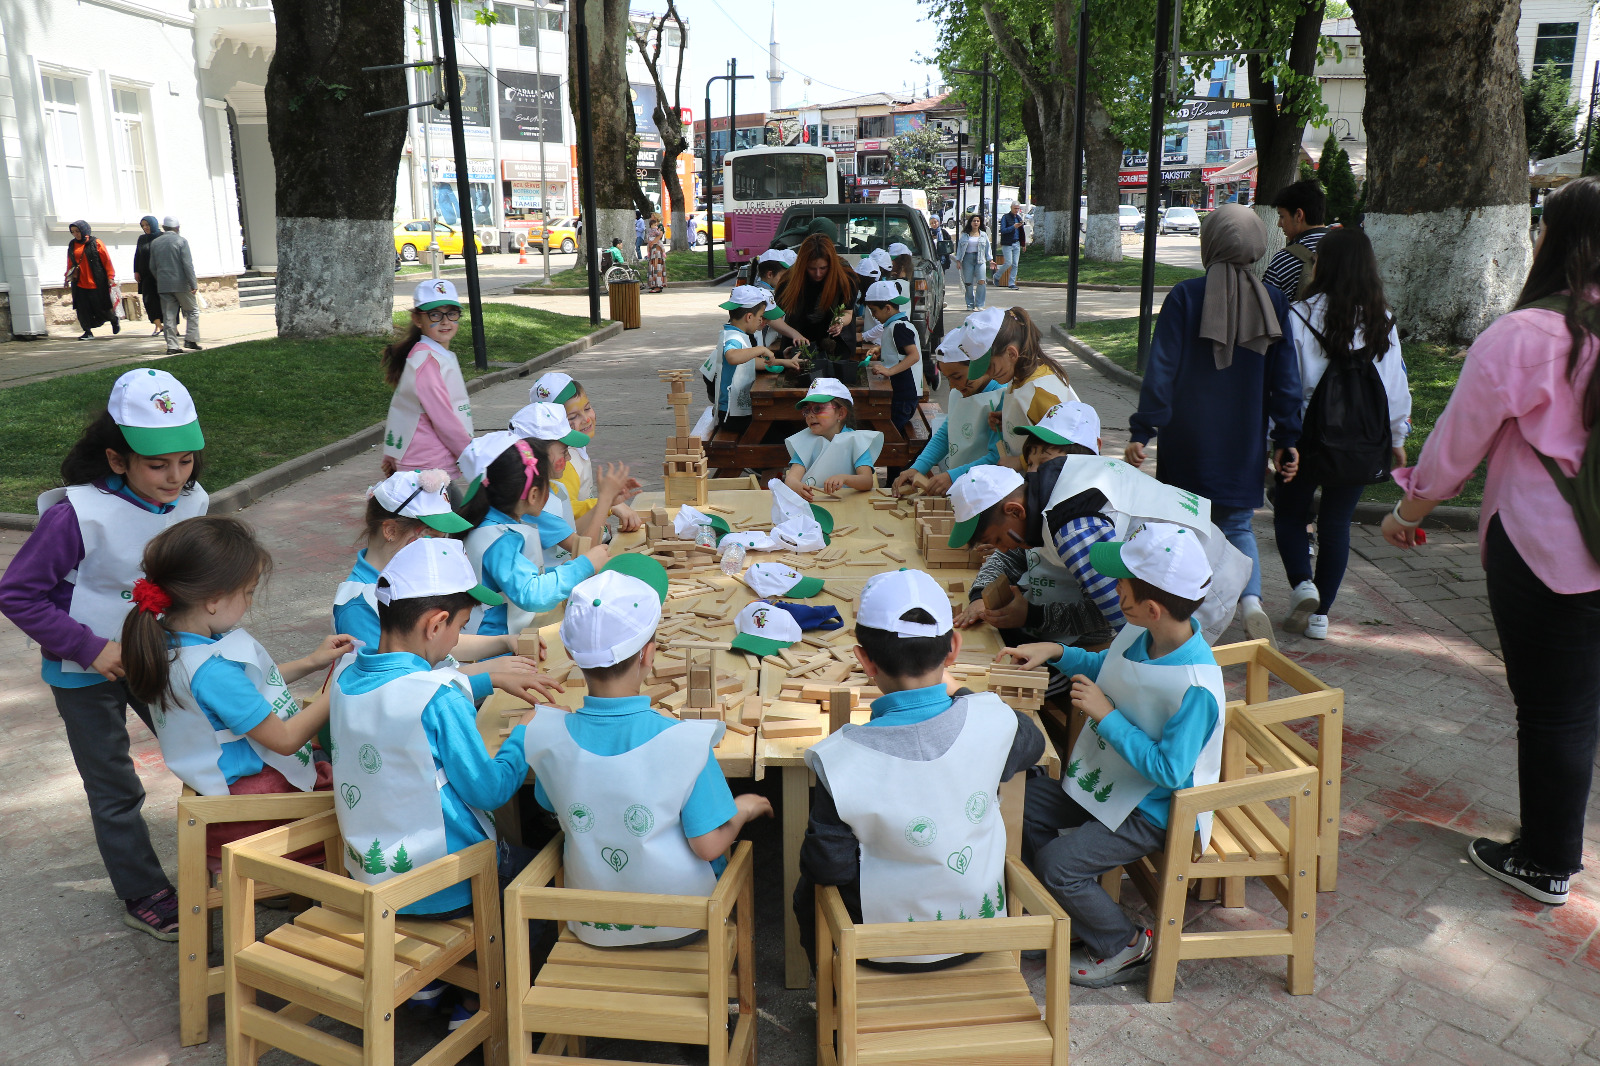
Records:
x=354, y=958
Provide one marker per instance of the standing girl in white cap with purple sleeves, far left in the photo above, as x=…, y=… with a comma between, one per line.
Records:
x=134, y=473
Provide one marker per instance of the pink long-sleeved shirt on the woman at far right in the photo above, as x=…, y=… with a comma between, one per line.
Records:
x=1514, y=393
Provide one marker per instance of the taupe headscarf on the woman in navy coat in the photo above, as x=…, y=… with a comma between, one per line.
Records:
x=1238, y=308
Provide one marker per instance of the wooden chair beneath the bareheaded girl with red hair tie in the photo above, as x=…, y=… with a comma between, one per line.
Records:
x=201, y=892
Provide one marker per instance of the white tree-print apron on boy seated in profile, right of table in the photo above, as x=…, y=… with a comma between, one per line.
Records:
x=1148, y=695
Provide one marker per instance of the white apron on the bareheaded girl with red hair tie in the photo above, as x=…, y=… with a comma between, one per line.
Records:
x=193, y=747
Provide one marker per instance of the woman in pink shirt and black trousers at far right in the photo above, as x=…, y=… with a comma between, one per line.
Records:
x=1529, y=388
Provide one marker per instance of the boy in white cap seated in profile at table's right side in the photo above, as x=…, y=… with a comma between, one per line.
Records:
x=1154, y=702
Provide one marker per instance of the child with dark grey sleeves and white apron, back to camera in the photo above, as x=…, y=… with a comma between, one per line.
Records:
x=906, y=817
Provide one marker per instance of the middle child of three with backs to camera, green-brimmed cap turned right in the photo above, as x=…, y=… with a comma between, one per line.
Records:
x=639, y=795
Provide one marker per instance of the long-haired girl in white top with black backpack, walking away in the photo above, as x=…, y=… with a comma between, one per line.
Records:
x=1356, y=415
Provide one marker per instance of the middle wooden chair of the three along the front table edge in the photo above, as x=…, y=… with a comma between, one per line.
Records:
x=676, y=995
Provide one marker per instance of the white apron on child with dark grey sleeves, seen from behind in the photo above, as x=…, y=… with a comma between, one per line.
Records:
x=932, y=836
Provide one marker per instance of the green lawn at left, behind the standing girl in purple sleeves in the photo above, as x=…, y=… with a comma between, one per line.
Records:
x=262, y=403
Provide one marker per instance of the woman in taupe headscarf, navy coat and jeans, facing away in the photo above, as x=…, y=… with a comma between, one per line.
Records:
x=1222, y=364
